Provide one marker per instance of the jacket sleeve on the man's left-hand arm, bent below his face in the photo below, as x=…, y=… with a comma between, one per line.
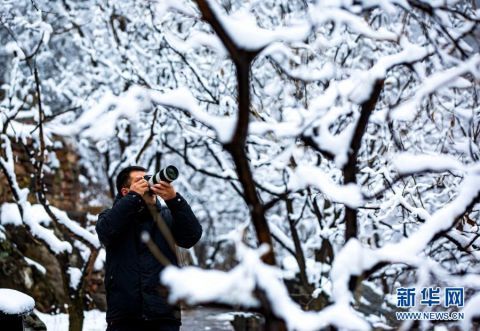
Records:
x=112, y=222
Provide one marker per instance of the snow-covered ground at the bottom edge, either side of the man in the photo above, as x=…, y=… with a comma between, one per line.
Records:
x=193, y=320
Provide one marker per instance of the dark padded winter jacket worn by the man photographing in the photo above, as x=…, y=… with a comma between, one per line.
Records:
x=132, y=272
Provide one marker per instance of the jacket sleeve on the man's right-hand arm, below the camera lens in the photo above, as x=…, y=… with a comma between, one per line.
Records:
x=186, y=228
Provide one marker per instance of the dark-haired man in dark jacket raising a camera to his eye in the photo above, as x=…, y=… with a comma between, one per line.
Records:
x=135, y=299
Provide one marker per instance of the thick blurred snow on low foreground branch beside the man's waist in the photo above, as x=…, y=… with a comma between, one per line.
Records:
x=238, y=286
